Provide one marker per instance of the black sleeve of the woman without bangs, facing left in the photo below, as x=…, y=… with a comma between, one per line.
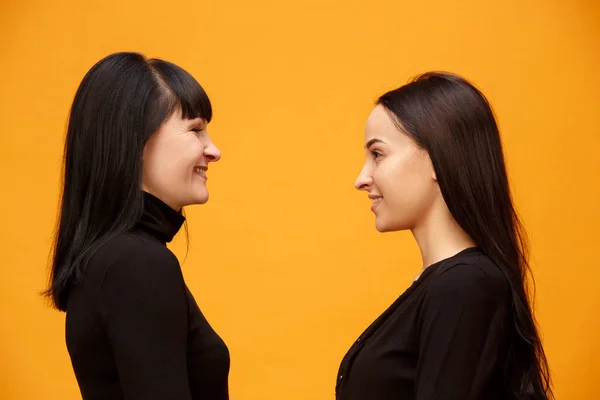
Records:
x=461, y=330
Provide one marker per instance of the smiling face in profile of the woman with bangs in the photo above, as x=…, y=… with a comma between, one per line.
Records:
x=176, y=159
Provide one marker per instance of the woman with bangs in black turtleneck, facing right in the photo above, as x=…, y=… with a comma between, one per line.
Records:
x=137, y=151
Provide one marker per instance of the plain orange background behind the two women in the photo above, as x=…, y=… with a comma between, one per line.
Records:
x=284, y=260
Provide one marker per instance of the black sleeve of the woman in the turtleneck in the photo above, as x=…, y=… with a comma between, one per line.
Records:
x=145, y=311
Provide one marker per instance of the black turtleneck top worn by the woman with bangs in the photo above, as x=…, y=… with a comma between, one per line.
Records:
x=133, y=328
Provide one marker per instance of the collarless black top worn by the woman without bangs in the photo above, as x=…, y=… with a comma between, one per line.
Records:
x=445, y=338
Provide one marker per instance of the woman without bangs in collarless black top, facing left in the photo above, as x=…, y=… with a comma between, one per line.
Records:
x=464, y=329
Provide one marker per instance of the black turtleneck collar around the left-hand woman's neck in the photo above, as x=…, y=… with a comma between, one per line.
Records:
x=159, y=219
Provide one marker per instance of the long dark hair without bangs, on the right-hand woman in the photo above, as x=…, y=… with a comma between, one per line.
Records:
x=451, y=119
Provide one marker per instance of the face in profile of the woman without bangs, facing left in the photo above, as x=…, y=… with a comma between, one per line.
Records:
x=397, y=174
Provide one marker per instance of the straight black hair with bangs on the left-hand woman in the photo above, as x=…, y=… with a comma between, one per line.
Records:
x=122, y=100
